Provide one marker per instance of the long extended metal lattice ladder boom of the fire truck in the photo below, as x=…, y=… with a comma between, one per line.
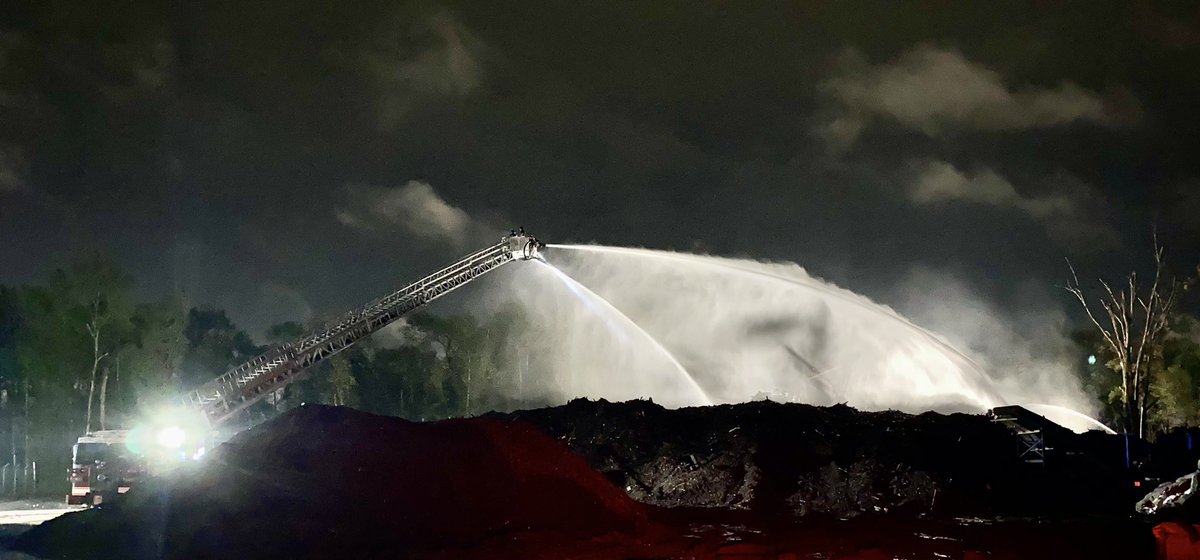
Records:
x=250, y=383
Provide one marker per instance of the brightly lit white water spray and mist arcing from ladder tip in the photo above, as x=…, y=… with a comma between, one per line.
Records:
x=716, y=330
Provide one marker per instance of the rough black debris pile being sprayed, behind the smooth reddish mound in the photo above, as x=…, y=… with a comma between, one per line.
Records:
x=835, y=461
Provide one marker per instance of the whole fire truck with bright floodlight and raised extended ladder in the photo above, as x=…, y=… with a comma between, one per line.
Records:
x=107, y=463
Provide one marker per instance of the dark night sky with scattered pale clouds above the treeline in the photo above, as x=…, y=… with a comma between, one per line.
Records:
x=284, y=160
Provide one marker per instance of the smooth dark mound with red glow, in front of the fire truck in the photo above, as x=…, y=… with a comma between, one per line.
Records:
x=331, y=483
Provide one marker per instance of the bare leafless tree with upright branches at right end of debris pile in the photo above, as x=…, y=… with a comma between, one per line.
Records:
x=1135, y=328
